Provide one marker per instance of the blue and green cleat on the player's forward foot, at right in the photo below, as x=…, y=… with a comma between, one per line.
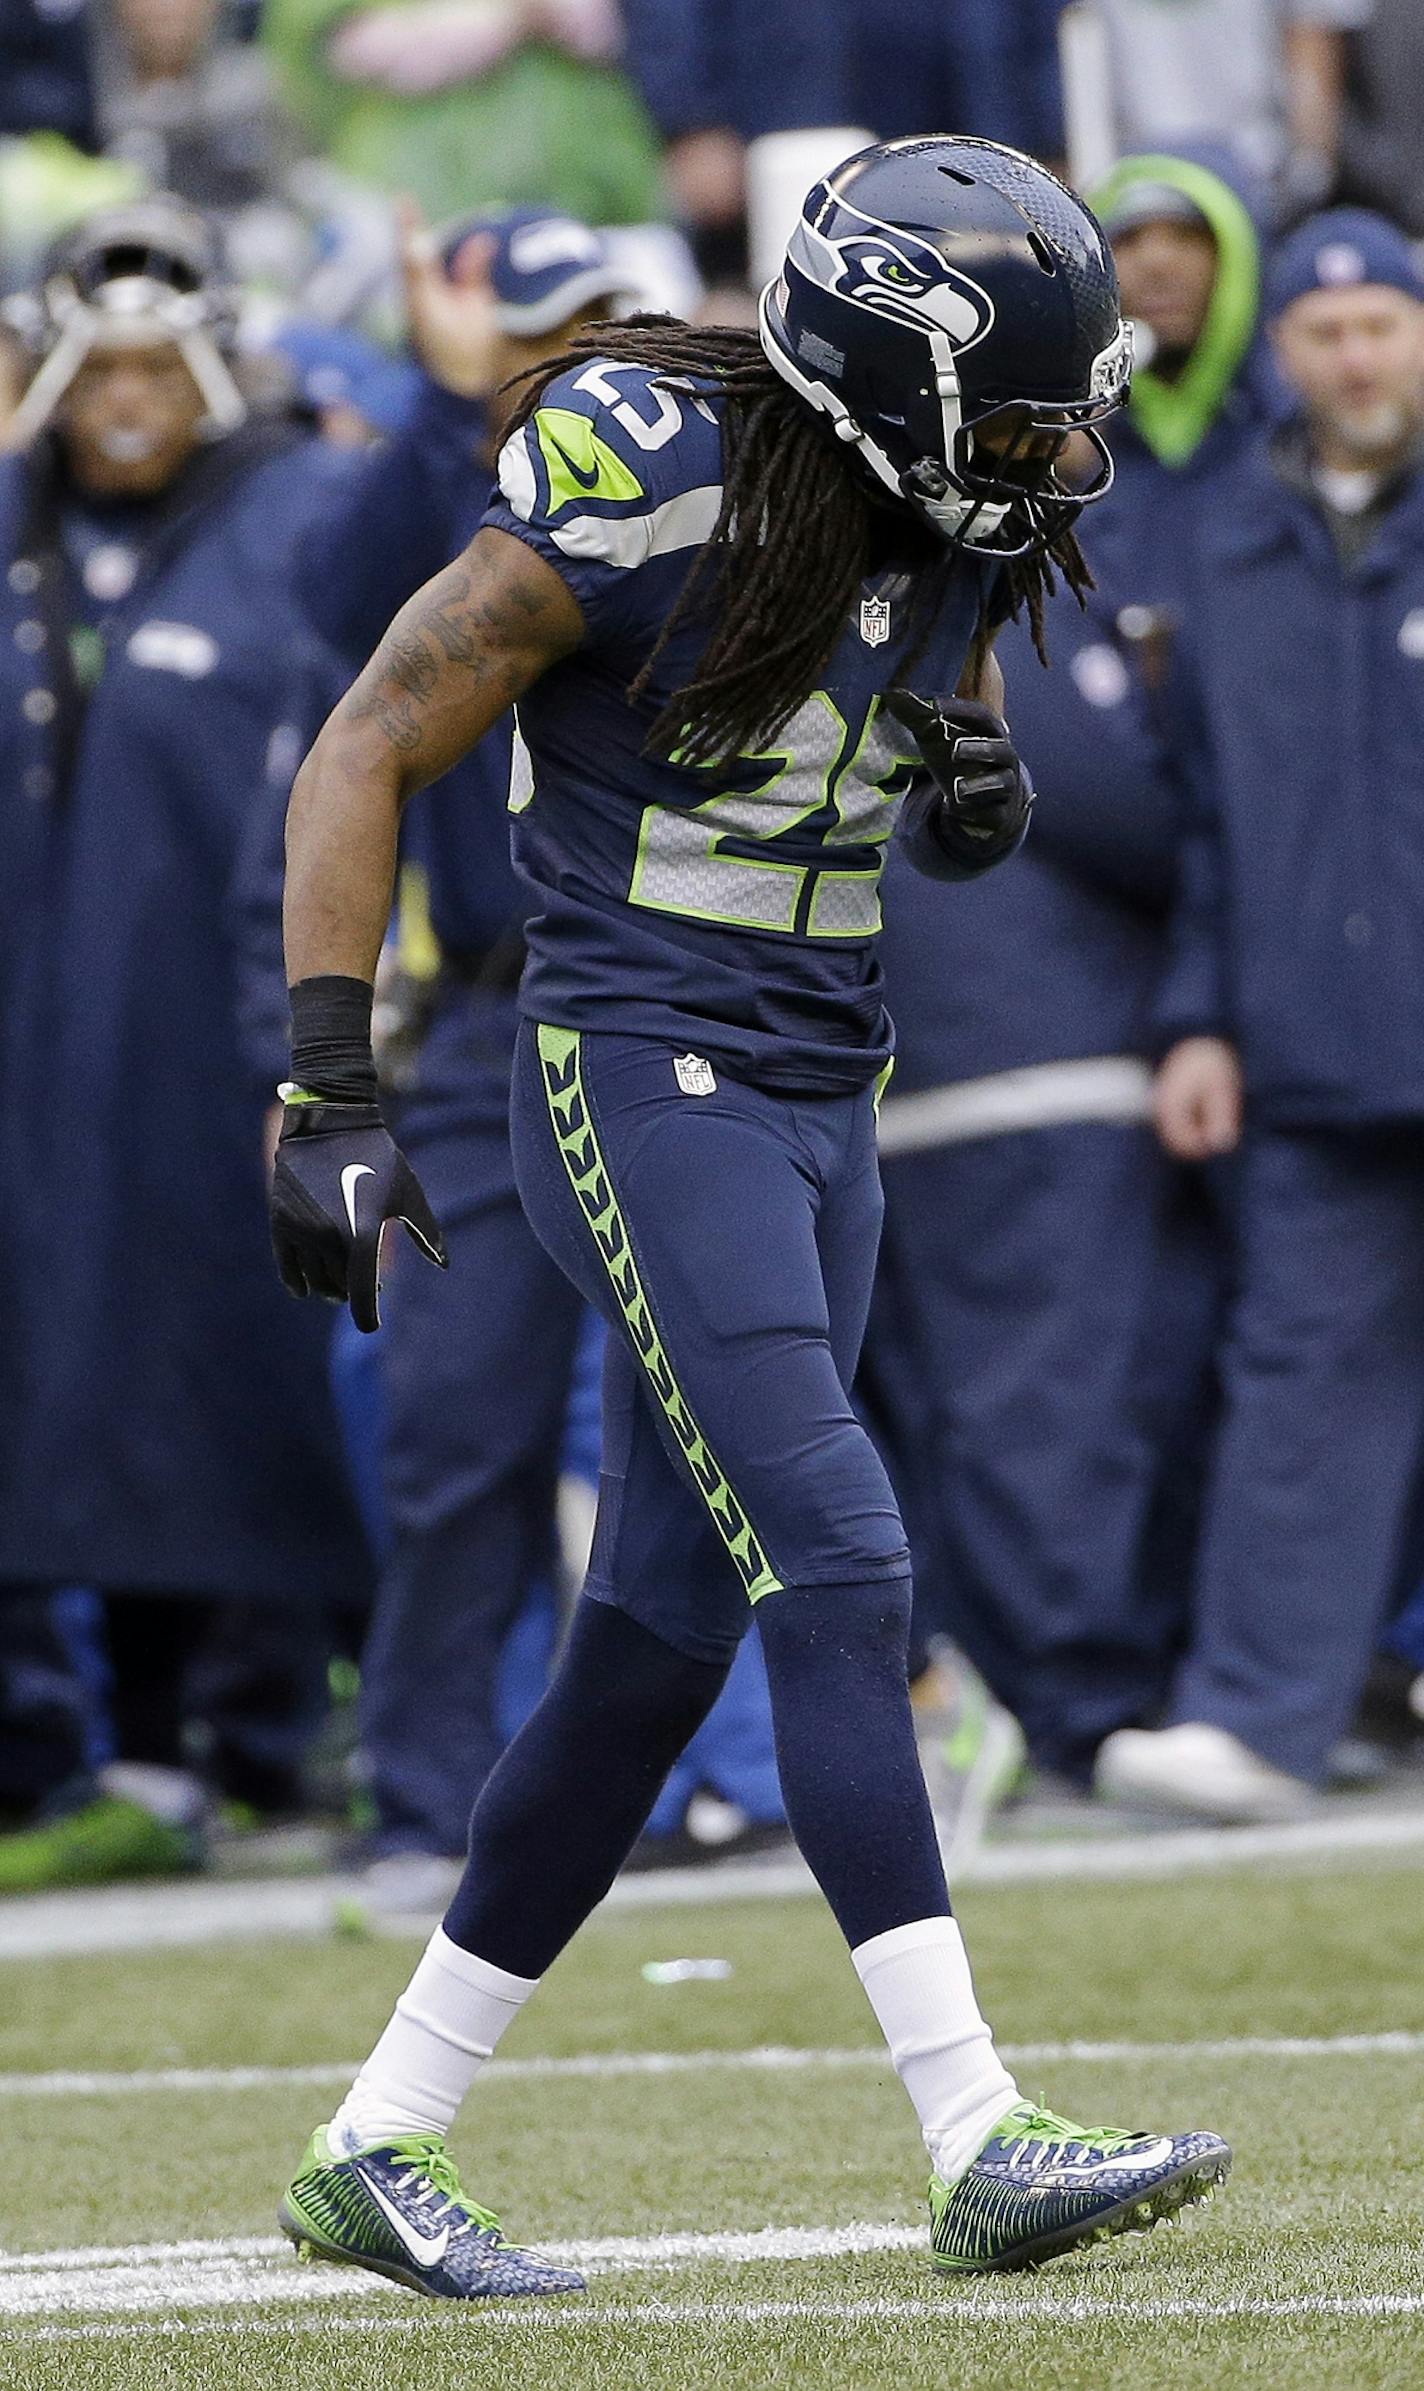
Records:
x=1043, y=2187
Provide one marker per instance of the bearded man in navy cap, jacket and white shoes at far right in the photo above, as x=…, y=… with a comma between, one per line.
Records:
x=1296, y=1010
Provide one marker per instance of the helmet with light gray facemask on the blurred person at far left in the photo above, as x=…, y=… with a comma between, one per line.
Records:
x=130, y=279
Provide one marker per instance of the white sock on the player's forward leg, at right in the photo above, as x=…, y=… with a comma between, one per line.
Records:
x=919, y=1986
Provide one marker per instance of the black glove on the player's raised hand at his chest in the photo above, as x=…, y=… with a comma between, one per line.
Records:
x=981, y=797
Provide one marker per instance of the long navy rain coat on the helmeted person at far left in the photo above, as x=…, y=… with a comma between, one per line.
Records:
x=164, y=1405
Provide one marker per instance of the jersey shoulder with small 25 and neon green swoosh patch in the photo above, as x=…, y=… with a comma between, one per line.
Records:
x=618, y=465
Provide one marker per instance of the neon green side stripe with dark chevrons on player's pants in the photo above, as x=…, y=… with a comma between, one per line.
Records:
x=594, y=1187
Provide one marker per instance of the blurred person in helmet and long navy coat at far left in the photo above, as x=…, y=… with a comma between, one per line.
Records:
x=164, y=1412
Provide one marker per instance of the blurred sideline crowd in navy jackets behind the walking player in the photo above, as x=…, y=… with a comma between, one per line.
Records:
x=1148, y=1350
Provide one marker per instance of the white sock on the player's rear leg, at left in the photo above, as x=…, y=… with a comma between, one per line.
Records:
x=446, y=2026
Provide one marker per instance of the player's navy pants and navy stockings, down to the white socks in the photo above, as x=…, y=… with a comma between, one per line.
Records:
x=730, y=1240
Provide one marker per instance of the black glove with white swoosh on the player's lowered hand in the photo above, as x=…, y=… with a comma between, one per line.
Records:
x=336, y=1185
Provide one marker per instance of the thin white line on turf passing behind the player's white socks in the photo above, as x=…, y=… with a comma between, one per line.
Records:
x=771, y=2060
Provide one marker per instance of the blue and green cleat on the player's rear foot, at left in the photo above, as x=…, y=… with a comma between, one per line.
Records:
x=400, y=2210
